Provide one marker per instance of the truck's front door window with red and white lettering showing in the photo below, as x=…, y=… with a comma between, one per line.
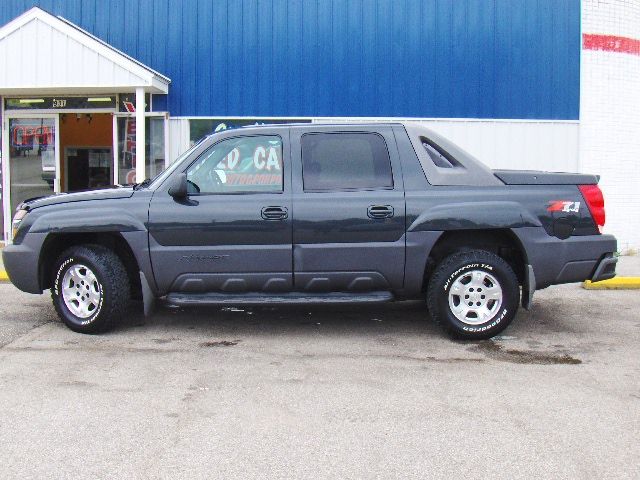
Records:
x=238, y=165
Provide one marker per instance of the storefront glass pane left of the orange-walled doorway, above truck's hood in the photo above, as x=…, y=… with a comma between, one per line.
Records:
x=32, y=147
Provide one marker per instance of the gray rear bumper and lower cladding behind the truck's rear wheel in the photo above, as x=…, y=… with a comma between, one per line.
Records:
x=575, y=259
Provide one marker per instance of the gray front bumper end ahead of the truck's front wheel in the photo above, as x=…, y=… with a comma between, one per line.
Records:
x=21, y=263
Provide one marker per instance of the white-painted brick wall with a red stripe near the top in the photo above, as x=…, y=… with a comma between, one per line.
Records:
x=610, y=111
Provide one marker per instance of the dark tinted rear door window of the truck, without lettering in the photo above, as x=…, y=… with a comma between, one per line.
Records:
x=345, y=161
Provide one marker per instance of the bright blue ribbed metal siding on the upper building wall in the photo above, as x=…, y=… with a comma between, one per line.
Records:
x=414, y=58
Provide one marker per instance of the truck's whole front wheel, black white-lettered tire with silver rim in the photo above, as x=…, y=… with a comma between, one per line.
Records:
x=109, y=288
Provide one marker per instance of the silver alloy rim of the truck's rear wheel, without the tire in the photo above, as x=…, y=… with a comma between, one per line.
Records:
x=475, y=297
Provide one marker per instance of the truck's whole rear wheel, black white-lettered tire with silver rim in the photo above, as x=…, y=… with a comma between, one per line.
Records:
x=486, y=317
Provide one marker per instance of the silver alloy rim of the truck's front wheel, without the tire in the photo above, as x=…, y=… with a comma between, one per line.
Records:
x=81, y=291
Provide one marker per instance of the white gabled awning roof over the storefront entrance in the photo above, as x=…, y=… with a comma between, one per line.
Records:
x=44, y=54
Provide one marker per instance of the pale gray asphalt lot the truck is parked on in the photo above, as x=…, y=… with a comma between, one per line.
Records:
x=323, y=392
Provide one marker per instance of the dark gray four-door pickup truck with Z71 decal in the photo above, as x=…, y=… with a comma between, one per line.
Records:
x=316, y=214
